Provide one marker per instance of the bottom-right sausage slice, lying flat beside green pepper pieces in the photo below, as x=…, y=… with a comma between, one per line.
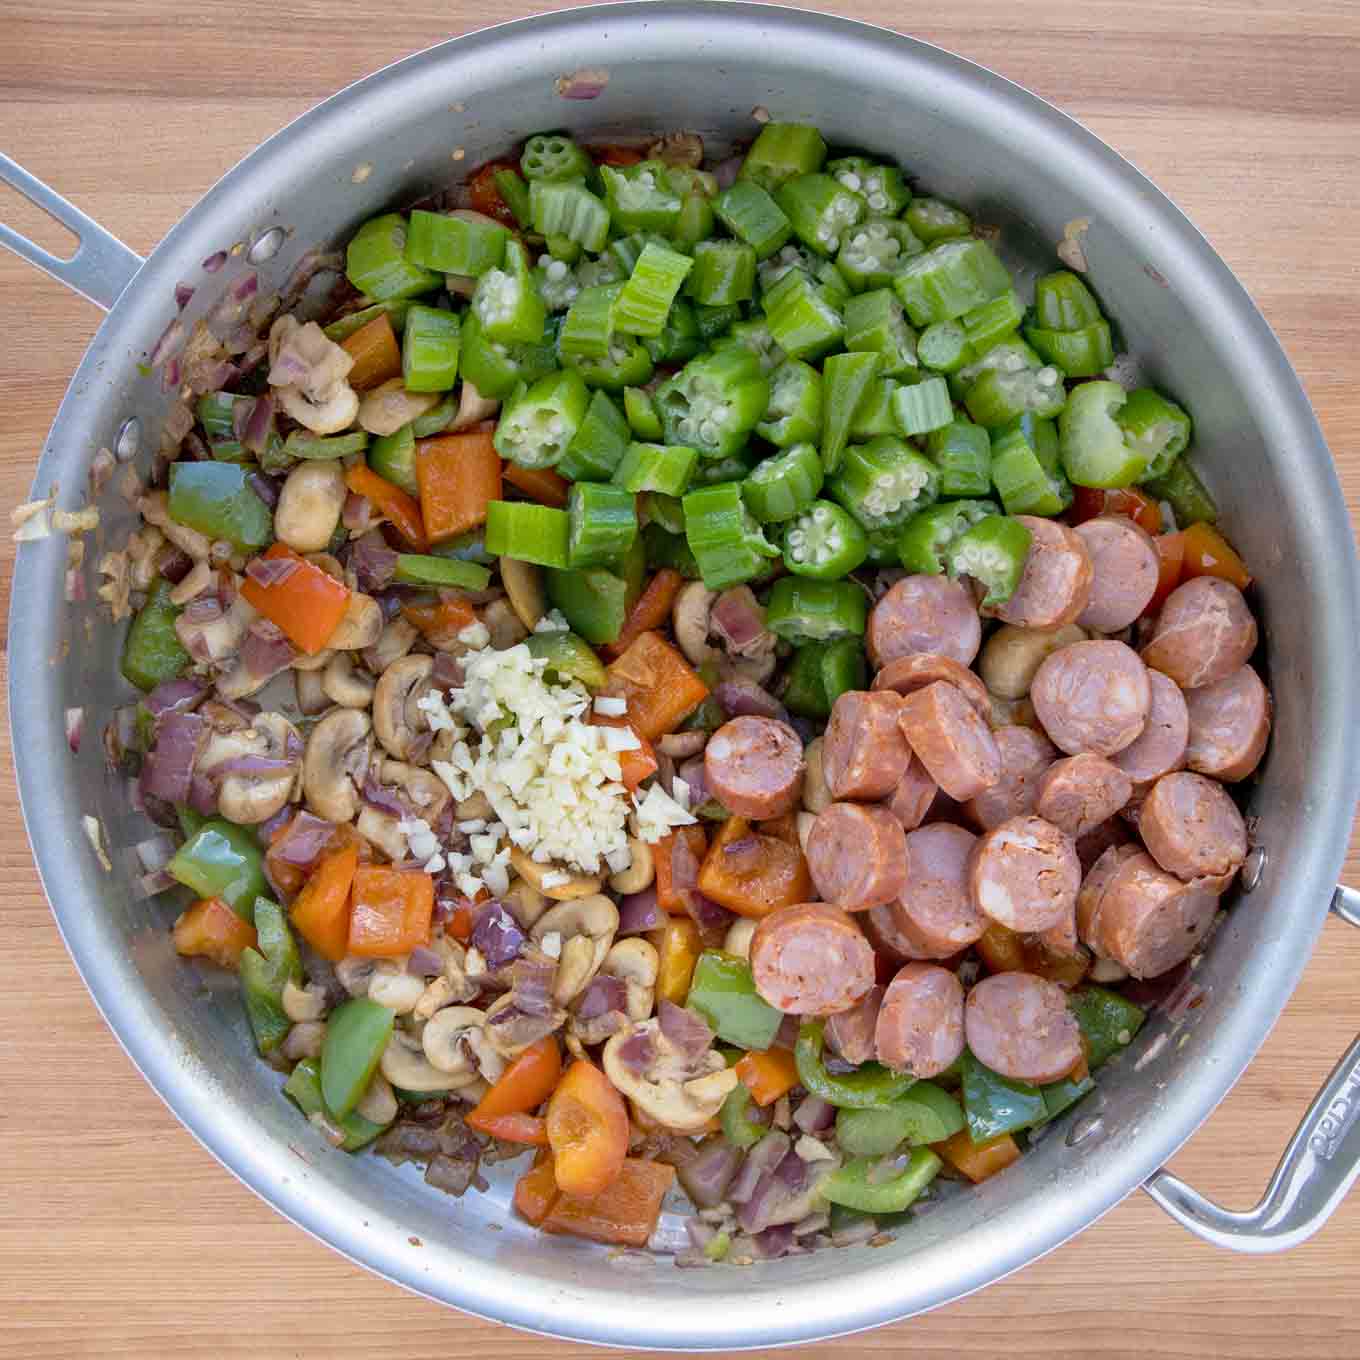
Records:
x=1021, y=1026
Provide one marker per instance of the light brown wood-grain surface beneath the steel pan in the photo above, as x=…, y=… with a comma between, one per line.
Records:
x=120, y=1236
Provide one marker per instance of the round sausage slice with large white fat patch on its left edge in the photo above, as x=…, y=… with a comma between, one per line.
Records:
x=1026, y=875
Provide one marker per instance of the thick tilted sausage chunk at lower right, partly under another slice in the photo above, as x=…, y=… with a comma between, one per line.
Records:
x=1150, y=921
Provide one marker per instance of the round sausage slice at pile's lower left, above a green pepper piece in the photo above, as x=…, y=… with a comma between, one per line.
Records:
x=811, y=961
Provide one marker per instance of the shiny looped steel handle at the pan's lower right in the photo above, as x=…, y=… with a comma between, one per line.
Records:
x=1319, y=1168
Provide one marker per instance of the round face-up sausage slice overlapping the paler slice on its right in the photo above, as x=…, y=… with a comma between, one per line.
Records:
x=1093, y=697
